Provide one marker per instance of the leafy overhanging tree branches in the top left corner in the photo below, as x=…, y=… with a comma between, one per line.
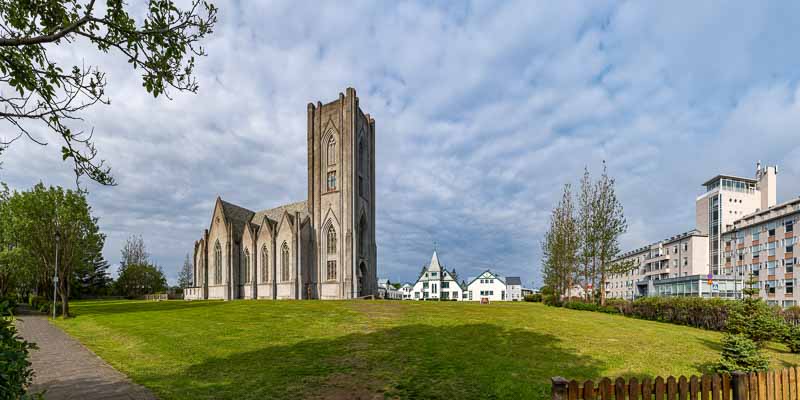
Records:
x=162, y=46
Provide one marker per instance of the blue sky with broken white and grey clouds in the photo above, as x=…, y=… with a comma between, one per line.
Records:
x=483, y=110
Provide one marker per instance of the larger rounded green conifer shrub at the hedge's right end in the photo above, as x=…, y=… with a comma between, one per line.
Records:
x=756, y=320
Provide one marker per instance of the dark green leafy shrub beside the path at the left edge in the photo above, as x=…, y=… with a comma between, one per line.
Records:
x=15, y=369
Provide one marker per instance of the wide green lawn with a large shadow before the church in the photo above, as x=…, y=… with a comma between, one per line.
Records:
x=376, y=349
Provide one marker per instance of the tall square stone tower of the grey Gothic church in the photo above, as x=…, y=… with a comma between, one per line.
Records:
x=341, y=195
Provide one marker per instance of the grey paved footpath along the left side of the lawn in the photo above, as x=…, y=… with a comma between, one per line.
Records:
x=68, y=370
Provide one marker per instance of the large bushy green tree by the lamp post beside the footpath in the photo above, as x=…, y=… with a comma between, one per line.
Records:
x=32, y=218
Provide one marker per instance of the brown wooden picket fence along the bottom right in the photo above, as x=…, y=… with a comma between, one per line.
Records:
x=766, y=385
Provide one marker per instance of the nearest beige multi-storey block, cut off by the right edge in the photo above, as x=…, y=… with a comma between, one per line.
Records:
x=761, y=246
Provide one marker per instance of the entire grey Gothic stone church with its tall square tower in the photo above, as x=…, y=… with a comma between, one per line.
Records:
x=321, y=248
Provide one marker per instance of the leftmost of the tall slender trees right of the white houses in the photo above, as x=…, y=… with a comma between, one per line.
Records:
x=560, y=246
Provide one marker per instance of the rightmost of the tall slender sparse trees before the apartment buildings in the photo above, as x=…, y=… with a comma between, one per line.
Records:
x=609, y=223
